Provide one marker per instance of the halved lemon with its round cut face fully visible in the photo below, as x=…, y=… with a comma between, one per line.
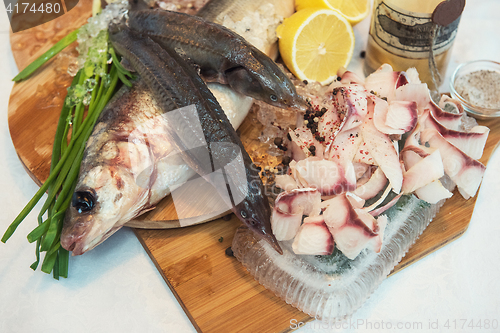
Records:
x=314, y=43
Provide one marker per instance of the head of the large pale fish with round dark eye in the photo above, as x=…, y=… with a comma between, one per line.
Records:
x=103, y=201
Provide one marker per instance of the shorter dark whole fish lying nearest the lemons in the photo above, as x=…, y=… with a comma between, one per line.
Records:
x=221, y=55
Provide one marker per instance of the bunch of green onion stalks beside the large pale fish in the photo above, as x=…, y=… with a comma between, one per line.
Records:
x=91, y=89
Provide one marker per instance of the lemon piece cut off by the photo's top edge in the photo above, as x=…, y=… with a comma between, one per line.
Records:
x=354, y=10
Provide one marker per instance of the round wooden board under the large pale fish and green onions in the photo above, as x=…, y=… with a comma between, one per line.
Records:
x=35, y=105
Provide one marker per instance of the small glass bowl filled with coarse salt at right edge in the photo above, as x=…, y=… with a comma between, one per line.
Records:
x=476, y=85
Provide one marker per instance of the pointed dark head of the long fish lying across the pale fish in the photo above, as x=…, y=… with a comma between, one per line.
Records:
x=255, y=213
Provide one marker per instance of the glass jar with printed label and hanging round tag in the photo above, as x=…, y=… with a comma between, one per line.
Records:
x=403, y=34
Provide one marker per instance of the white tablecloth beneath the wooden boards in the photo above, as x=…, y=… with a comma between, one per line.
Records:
x=116, y=287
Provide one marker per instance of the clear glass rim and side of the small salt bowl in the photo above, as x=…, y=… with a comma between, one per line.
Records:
x=469, y=67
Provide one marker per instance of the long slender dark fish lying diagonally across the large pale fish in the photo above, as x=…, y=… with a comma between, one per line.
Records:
x=175, y=84
